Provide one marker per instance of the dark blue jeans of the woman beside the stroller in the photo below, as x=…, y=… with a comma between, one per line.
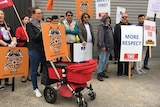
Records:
x=35, y=58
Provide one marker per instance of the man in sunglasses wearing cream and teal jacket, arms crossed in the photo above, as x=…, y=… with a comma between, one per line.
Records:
x=71, y=27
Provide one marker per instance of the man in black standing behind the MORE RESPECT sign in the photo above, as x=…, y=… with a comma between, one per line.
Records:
x=117, y=37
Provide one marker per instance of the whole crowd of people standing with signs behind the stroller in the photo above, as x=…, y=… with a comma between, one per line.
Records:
x=30, y=35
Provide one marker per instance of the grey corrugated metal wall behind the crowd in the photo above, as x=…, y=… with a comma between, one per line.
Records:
x=133, y=8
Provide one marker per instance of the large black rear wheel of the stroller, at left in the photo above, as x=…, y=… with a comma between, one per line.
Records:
x=50, y=94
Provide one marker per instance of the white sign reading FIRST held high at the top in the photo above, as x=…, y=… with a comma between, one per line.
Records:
x=102, y=8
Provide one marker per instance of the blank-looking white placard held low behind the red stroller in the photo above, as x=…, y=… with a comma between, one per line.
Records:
x=82, y=53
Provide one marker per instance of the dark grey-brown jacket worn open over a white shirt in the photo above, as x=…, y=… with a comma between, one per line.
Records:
x=83, y=33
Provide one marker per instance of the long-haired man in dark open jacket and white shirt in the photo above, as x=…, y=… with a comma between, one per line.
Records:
x=85, y=30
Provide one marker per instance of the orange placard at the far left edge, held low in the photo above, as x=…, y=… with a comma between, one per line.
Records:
x=14, y=62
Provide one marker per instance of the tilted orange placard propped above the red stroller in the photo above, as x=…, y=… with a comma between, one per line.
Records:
x=54, y=40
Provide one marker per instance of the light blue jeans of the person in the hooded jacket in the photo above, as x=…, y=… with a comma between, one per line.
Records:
x=103, y=60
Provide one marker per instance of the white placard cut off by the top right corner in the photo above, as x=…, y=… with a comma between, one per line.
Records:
x=152, y=10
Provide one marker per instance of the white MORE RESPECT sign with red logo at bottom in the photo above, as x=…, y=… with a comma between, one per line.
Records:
x=131, y=43
